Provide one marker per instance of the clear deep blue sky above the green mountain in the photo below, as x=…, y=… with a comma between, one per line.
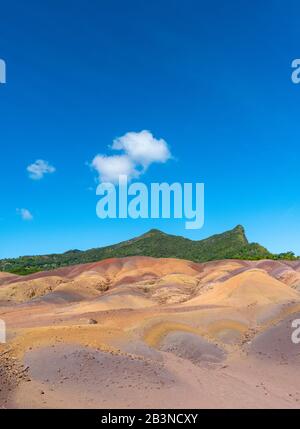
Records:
x=211, y=78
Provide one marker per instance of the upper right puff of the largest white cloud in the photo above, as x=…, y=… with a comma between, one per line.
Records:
x=143, y=148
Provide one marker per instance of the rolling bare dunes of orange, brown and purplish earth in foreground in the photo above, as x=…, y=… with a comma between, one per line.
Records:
x=152, y=333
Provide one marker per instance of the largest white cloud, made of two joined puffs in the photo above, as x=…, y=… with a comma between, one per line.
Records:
x=140, y=150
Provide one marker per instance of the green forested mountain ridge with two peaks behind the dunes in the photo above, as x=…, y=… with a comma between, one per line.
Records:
x=231, y=244
